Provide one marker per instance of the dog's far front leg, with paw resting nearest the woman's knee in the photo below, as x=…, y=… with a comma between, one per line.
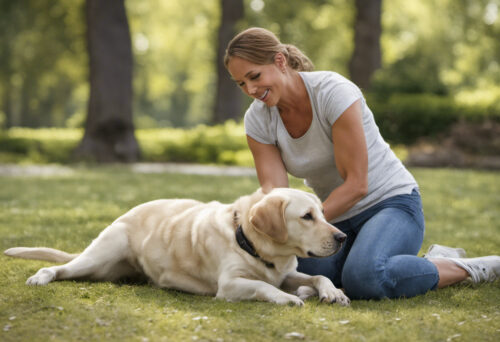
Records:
x=326, y=291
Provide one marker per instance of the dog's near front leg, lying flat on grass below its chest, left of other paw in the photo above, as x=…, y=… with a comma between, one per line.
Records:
x=236, y=289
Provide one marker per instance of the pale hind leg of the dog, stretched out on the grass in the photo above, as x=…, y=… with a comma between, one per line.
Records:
x=104, y=259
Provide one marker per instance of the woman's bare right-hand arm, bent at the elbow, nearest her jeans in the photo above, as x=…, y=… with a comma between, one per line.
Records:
x=351, y=157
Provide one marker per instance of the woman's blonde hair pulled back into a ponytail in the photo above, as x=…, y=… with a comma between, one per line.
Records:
x=259, y=46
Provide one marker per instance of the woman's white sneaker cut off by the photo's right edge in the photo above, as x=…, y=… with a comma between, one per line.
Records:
x=483, y=269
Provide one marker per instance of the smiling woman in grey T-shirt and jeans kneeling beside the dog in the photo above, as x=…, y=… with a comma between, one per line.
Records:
x=317, y=126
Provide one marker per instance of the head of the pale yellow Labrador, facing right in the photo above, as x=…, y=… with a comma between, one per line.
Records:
x=294, y=221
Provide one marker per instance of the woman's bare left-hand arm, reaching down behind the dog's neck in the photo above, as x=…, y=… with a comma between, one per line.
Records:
x=269, y=165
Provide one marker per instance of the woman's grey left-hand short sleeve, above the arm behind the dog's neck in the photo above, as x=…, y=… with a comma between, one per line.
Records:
x=259, y=124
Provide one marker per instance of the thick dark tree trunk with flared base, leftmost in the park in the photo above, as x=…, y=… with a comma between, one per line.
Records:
x=109, y=129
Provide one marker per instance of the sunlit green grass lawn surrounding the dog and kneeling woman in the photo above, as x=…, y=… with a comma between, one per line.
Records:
x=67, y=212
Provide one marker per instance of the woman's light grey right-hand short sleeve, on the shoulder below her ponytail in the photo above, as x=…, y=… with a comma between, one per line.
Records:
x=337, y=97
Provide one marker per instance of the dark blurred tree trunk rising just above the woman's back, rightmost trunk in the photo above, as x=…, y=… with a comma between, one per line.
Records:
x=366, y=57
